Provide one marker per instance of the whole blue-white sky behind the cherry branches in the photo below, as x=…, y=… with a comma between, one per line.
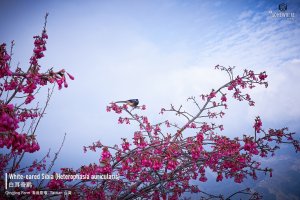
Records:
x=160, y=52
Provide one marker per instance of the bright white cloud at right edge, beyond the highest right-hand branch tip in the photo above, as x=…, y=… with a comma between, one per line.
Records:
x=280, y=101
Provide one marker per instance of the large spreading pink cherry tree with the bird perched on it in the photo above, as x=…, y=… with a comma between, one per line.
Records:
x=160, y=160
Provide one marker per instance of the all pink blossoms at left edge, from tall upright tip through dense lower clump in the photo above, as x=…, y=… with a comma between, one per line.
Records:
x=27, y=83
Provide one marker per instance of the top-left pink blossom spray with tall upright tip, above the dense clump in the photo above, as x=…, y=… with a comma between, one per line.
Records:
x=30, y=80
